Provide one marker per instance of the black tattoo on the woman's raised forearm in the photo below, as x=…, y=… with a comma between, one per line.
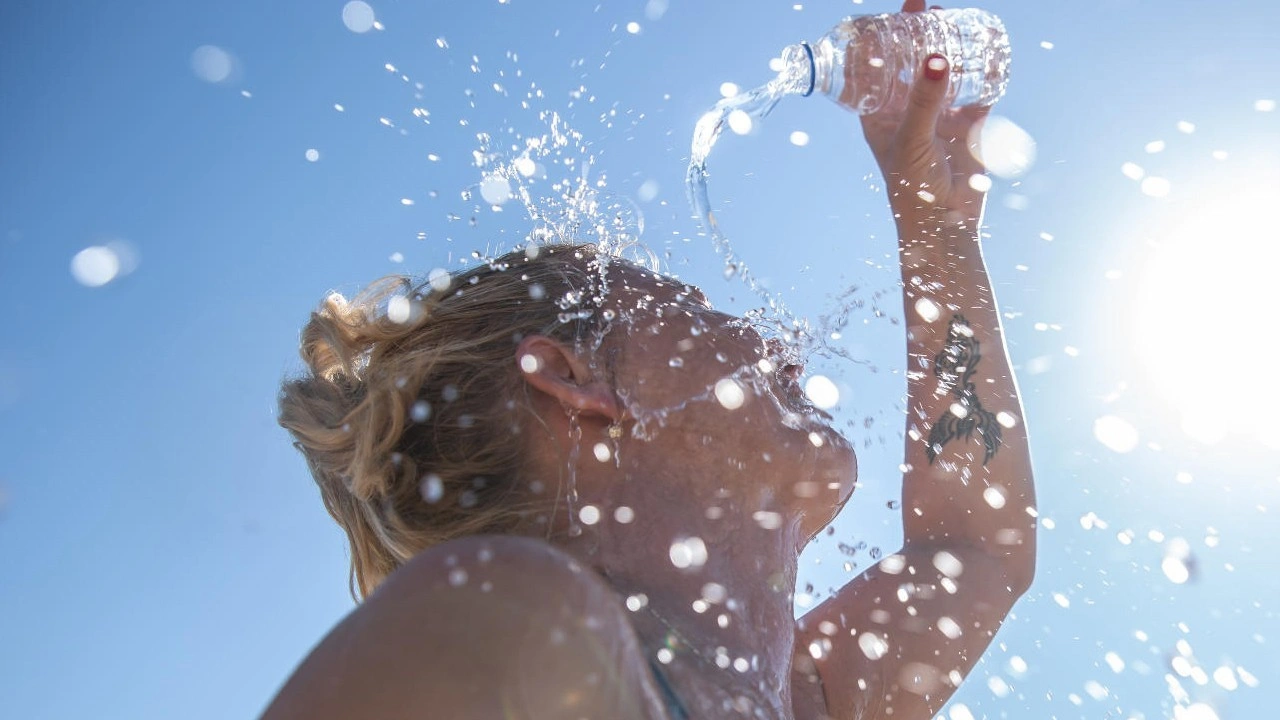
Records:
x=954, y=368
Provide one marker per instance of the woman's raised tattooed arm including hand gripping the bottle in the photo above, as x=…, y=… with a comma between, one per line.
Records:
x=899, y=640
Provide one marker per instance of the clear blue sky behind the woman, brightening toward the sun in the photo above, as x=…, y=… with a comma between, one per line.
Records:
x=164, y=552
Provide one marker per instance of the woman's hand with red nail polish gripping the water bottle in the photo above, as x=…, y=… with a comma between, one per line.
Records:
x=926, y=156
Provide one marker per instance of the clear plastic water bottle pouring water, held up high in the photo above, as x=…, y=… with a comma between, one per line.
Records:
x=867, y=63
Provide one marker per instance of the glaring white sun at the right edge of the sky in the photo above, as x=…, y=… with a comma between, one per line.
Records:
x=1206, y=318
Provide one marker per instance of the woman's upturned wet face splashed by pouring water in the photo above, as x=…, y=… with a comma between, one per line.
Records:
x=708, y=393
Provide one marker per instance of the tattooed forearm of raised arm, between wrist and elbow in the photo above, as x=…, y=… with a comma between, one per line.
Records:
x=970, y=472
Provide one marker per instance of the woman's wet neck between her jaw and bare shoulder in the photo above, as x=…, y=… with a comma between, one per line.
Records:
x=729, y=609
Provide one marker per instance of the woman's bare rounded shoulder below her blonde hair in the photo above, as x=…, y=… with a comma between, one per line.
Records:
x=479, y=627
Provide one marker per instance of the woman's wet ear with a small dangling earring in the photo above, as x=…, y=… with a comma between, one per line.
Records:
x=557, y=372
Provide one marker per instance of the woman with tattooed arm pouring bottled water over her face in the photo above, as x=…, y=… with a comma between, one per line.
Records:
x=574, y=490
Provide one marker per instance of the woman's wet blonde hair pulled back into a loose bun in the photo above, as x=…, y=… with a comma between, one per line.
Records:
x=406, y=409
